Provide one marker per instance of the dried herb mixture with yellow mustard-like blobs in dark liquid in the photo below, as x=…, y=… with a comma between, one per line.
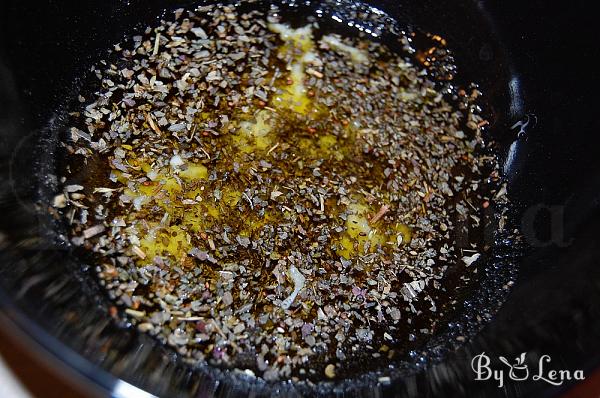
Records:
x=276, y=199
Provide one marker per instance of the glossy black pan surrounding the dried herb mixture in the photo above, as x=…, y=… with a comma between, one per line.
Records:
x=552, y=309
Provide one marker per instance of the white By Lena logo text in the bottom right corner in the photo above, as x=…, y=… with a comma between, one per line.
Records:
x=519, y=371
